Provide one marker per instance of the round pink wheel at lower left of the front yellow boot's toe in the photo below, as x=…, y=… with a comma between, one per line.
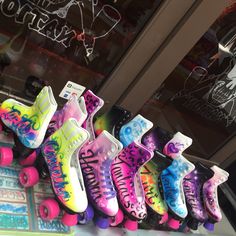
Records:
x=49, y=209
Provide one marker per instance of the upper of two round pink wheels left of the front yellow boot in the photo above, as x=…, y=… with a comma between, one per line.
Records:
x=29, y=176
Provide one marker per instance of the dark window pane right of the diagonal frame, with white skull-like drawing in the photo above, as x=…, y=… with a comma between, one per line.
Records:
x=199, y=97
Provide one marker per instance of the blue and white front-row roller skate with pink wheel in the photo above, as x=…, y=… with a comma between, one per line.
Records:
x=172, y=187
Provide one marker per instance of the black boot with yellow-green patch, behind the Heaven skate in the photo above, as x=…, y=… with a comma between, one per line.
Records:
x=112, y=121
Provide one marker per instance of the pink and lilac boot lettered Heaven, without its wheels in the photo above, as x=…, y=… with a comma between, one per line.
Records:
x=95, y=160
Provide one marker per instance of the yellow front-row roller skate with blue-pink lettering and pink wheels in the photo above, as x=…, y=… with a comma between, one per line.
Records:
x=60, y=158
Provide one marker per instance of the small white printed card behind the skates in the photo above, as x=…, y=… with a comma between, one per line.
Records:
x=71, y=88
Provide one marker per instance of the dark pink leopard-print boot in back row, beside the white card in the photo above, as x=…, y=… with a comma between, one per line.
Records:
x=93, y=105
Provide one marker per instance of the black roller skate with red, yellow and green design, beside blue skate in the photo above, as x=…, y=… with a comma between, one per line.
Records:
x=150, y=173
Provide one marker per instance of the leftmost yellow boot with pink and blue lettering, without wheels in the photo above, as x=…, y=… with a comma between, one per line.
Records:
x=29, y=123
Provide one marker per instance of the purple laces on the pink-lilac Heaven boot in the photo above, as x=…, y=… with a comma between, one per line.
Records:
x=107, y=180
